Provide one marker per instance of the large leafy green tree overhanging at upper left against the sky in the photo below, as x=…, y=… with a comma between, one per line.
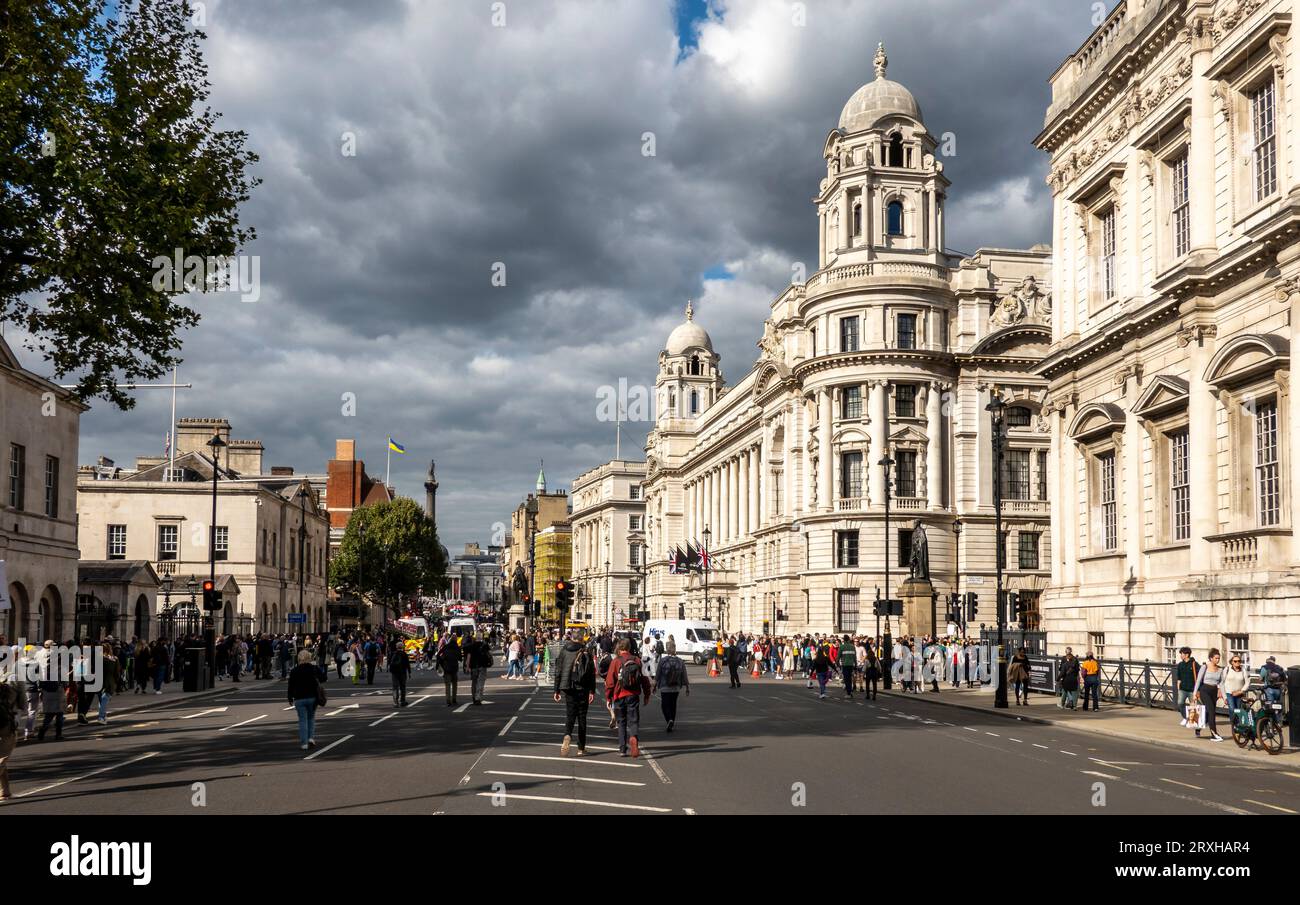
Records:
x=110, y=161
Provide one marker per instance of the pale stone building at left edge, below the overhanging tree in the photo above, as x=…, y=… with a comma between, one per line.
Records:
x=40, y=427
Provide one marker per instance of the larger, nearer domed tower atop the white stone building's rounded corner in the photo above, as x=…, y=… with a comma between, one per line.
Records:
x=883, y=194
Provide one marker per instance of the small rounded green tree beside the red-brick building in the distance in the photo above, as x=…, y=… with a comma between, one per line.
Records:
x=389, y=553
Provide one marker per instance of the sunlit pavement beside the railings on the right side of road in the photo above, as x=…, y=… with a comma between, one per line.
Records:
x=1121, y=721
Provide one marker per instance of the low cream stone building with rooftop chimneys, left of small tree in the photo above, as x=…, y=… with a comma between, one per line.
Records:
x=272, y=530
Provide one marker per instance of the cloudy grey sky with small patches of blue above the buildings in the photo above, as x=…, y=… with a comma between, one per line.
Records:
x=521, y=144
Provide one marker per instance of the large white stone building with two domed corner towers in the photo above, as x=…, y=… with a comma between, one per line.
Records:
x=892, y=345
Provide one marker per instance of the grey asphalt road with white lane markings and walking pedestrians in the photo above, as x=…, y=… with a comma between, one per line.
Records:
x=769, y=747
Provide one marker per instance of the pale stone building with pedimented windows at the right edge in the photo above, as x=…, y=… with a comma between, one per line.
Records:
x=1177, y=209
